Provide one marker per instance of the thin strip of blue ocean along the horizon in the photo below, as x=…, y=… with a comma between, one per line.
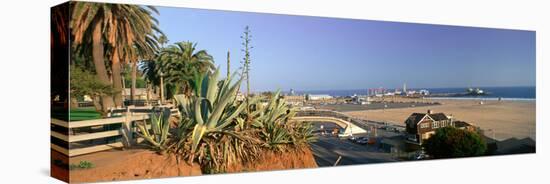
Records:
x=508, y=93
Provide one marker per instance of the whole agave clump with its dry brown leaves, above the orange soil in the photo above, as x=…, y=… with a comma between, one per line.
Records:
x=214, y=130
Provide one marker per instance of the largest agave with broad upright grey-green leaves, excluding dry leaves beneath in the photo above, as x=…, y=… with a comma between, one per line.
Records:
x=211, y=109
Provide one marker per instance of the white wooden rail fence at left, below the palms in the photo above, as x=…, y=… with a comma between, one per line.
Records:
x=126, y=131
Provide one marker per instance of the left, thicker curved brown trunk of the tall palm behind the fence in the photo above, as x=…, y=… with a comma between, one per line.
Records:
x=99, y=63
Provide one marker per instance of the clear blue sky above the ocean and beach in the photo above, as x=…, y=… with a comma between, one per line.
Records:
x=315, y=53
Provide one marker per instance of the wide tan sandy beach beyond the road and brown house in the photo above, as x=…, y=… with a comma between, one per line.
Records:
x=507, y=118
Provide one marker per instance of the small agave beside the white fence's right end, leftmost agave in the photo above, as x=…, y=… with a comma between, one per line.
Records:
x=158, y=135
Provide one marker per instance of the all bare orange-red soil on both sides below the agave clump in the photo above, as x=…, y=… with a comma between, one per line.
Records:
x=133, y=164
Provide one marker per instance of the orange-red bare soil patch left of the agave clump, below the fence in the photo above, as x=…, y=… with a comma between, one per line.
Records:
x=129, y=165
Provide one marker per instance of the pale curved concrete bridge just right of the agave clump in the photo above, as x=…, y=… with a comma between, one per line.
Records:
x=343, y=121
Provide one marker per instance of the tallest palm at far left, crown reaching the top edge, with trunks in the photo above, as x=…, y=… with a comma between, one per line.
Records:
x=118, y=29
